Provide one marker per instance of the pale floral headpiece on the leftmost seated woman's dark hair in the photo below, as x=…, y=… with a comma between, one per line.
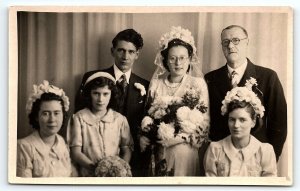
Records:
x=45, y=87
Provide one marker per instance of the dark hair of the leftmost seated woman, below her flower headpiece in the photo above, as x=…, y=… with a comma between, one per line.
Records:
x=36, y=106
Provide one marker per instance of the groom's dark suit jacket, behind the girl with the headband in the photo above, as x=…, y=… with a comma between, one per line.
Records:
x=134, y=112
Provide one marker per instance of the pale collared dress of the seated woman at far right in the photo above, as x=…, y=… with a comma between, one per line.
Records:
x=256, y=159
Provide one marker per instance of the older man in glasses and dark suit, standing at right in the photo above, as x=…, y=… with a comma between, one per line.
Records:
x=273, y=127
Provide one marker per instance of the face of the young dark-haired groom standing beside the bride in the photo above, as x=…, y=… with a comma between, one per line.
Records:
x=125, y=54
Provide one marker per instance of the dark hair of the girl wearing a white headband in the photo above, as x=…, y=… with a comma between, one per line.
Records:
x=99, y=83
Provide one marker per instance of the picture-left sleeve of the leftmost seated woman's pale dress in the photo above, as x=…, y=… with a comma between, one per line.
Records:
x=24, y=159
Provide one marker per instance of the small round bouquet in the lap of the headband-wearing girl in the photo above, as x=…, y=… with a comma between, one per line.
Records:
x=112, y=166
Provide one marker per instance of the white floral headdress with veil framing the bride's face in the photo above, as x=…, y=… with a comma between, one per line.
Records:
x=176, y=33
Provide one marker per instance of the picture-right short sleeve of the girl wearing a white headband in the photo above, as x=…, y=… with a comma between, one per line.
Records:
x=126, y=138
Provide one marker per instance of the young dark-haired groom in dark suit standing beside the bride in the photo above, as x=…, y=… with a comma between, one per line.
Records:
x=125, y=50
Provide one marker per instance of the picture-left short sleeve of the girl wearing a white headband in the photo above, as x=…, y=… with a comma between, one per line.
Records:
x=74, y=134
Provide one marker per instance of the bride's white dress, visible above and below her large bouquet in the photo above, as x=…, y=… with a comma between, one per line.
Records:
x=182, y=158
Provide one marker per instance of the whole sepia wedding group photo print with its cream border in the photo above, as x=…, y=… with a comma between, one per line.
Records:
x=195, y=96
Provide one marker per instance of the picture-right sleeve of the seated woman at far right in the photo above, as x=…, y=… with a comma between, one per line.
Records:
x=268, y=160
